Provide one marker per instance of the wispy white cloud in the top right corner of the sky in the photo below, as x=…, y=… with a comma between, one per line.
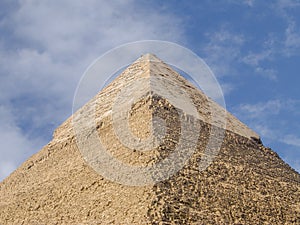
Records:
x=280, y=44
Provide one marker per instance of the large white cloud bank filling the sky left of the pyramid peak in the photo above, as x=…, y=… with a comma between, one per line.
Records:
x=44, y=50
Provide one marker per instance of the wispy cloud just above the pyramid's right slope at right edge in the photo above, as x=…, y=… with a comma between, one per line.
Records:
x=273, y=120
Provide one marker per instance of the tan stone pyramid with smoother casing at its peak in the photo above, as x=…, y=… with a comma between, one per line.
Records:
x=148, y=115
